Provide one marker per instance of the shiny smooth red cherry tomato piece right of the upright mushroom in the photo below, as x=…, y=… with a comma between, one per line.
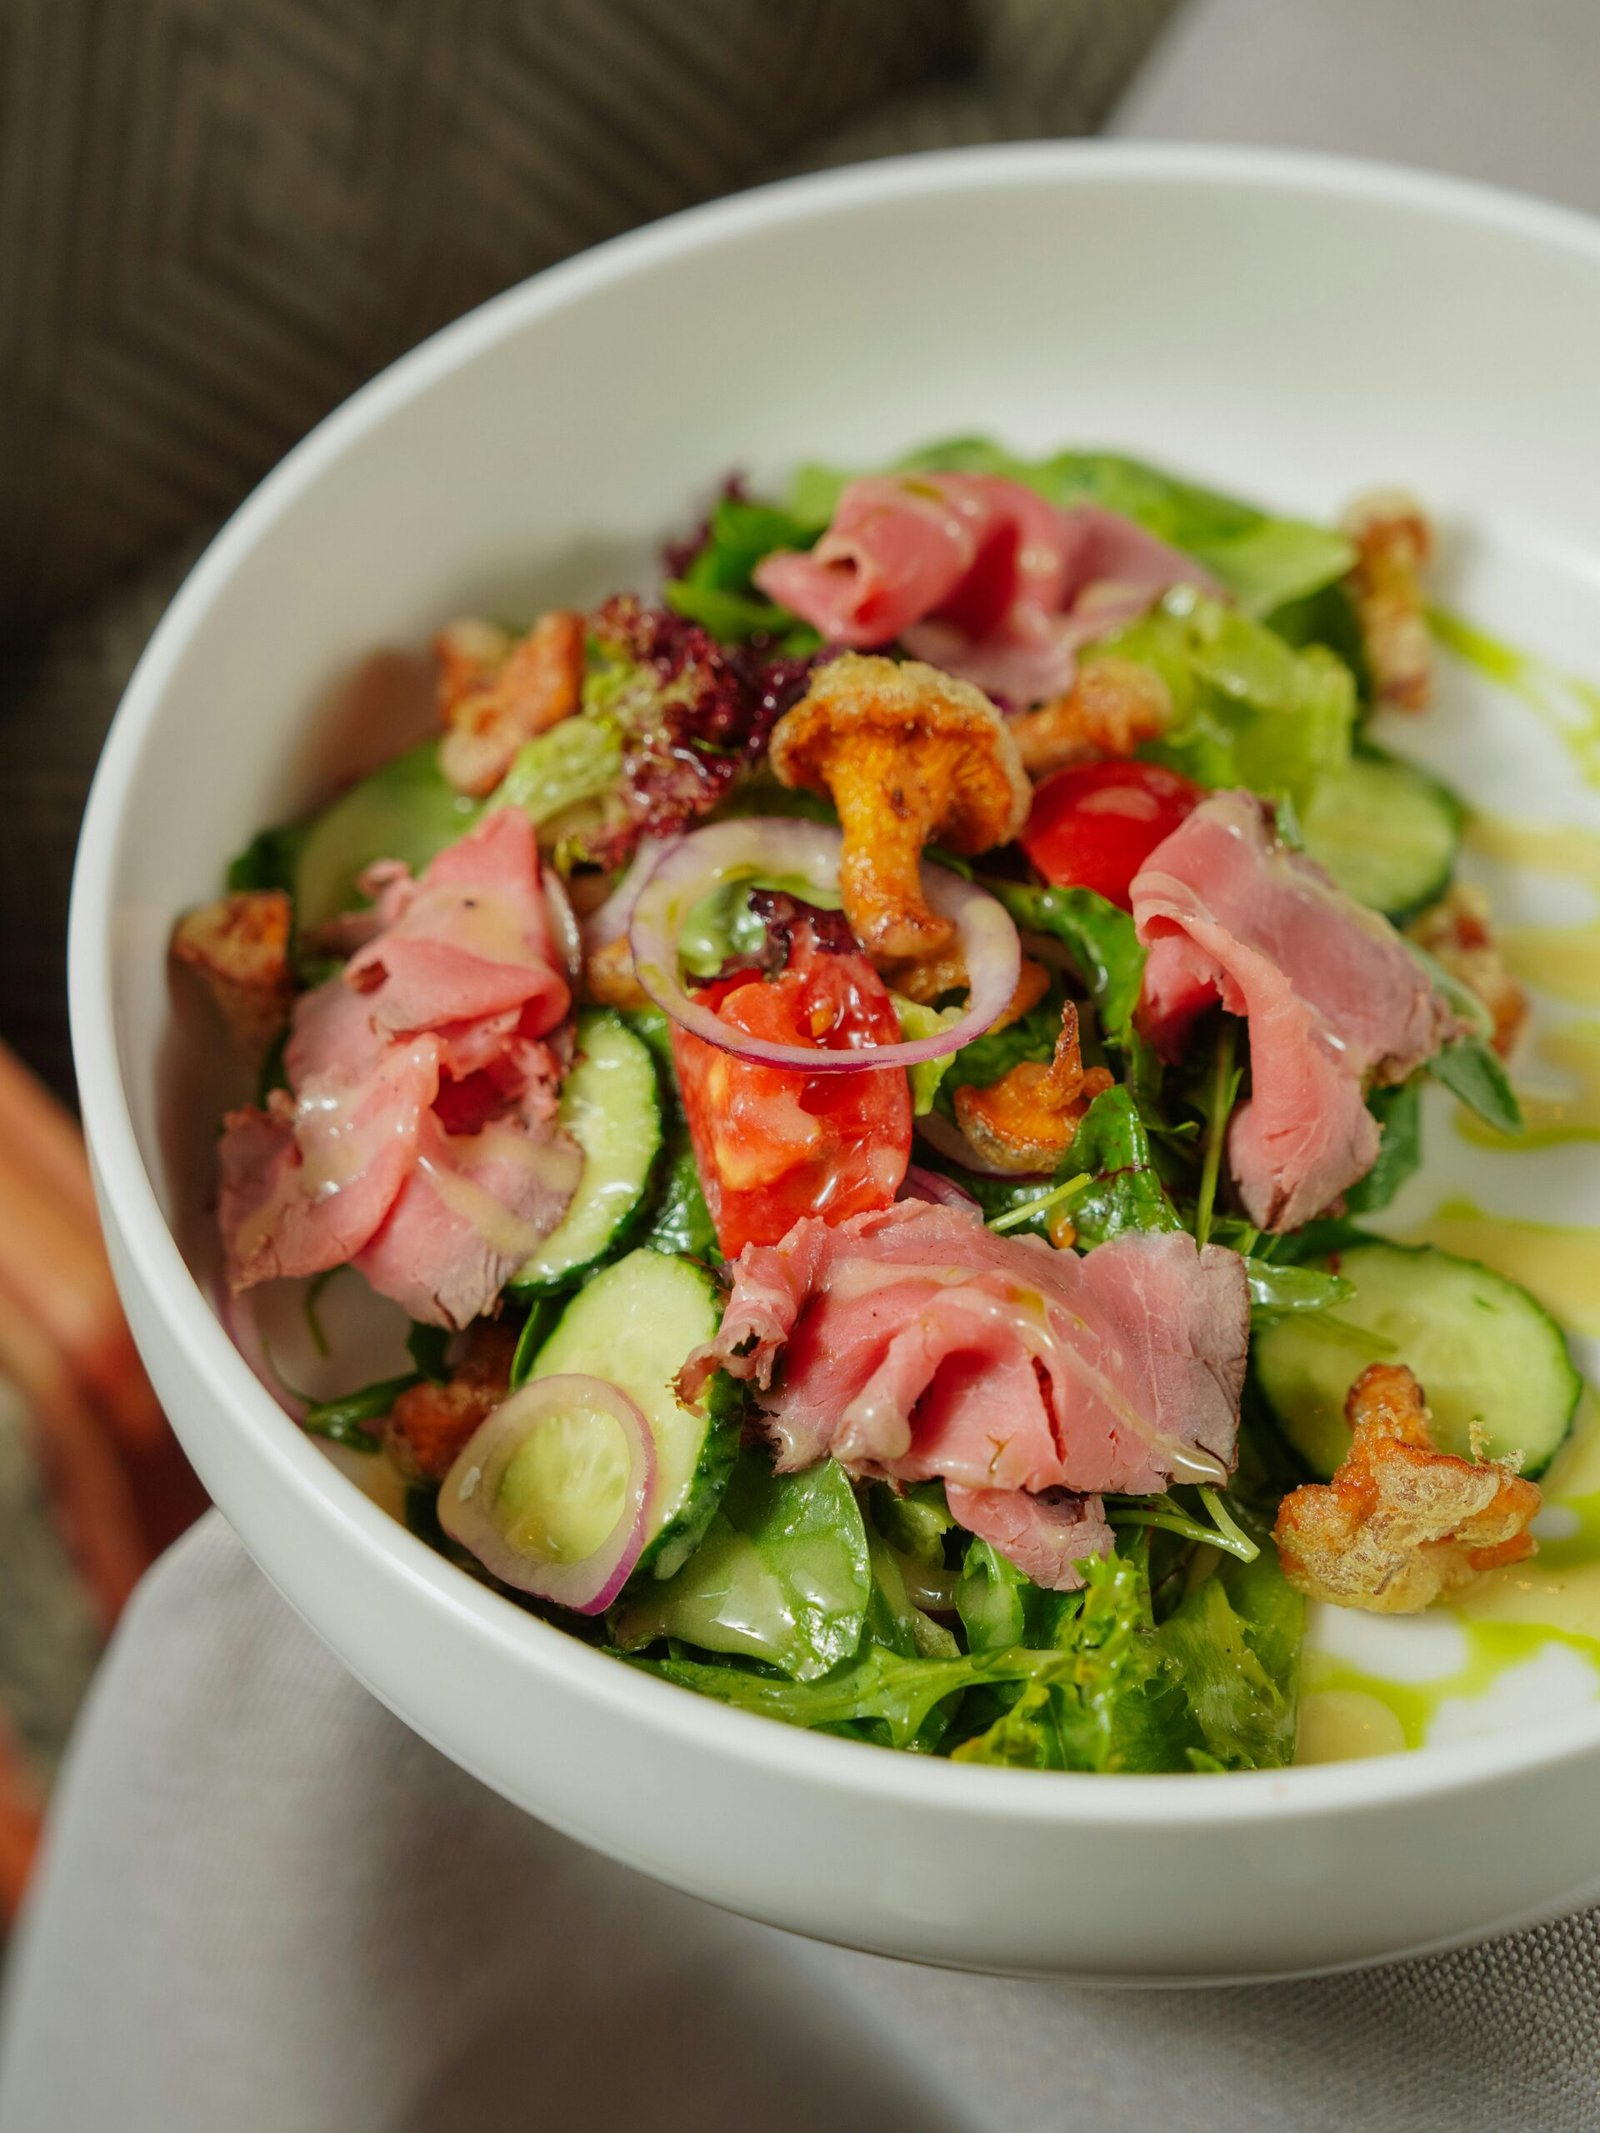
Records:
x=1095, y=827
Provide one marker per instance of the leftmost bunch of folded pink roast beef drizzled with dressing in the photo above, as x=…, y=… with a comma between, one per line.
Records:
x=417, y=1136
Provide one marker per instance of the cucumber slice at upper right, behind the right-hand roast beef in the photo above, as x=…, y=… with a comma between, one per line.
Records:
x=1386, y=831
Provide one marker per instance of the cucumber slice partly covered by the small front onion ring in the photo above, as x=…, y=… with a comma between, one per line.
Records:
x=635, y=1324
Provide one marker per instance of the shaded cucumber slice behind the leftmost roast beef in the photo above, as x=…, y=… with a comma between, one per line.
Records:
x=404, y=812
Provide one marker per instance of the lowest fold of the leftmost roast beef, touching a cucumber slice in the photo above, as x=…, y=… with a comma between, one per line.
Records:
x=468, y=1215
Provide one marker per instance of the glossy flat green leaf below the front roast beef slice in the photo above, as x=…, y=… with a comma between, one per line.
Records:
x=784, y=1575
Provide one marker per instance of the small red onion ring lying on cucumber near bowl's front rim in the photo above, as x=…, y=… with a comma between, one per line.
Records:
x=473, y=1486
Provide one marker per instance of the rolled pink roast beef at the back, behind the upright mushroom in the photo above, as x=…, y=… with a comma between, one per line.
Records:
x=976, y=575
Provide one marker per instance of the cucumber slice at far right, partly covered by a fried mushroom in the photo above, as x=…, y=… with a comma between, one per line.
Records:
x=1482, y=1349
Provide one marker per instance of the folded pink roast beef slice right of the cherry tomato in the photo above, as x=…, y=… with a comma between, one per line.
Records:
x=1330, y=995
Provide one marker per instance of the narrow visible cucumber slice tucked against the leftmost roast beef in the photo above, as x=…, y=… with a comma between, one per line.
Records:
x=611, y=1104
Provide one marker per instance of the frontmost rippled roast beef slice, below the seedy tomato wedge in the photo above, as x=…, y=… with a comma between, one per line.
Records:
x=914, y=1343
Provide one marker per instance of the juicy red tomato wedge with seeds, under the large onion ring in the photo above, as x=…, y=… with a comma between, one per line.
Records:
x=775, y=1144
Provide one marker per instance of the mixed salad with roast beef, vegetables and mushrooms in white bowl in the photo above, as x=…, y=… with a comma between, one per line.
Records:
x=863, y=1074
